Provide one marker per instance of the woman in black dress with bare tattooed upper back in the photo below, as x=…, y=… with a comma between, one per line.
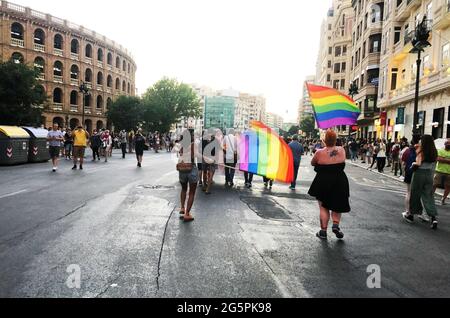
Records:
x=330, y=187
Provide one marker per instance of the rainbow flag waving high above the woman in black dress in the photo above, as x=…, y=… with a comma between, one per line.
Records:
x=332, y=108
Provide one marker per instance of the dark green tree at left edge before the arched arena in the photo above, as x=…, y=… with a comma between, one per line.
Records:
x=21, y=96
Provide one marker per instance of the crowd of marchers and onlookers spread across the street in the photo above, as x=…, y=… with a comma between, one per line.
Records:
x=420, y=165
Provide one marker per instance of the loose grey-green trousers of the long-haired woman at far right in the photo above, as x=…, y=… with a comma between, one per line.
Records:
x=422, y=192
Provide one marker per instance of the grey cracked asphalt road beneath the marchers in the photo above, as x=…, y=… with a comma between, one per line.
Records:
x=119, y=225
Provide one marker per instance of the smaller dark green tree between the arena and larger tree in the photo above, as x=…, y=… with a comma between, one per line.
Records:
x=126, y=112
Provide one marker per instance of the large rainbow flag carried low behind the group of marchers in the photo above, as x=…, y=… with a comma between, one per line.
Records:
x=263, y=152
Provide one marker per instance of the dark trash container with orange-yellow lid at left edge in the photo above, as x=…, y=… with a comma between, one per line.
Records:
x=14, y=145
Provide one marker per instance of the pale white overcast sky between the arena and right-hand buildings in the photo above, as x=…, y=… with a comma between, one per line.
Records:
x=256, y=46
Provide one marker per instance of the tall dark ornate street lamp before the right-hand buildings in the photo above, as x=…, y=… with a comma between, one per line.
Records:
x=419, y=42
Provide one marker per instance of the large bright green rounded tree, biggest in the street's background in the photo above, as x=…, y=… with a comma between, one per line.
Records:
x=168, y=102
